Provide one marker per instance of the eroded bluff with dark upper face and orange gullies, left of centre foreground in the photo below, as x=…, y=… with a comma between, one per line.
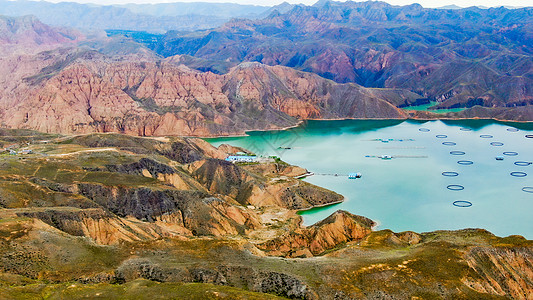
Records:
x=196, y=211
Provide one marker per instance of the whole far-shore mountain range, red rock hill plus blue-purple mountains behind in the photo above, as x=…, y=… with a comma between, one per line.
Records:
x=329, y=61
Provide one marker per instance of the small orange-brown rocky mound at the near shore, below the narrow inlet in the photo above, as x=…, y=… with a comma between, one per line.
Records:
x=340, y=227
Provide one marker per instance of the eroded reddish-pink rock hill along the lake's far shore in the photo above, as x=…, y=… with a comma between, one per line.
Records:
x=87, y=92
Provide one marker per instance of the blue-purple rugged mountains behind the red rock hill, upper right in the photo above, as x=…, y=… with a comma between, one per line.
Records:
x=460, y=57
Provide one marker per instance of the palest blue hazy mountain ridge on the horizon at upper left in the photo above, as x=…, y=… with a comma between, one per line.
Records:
x=153, y=18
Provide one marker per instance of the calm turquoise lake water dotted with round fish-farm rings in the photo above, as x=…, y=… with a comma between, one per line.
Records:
x=409, y=192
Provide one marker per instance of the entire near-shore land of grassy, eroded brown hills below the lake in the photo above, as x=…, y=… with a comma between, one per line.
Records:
x=113, y=216
